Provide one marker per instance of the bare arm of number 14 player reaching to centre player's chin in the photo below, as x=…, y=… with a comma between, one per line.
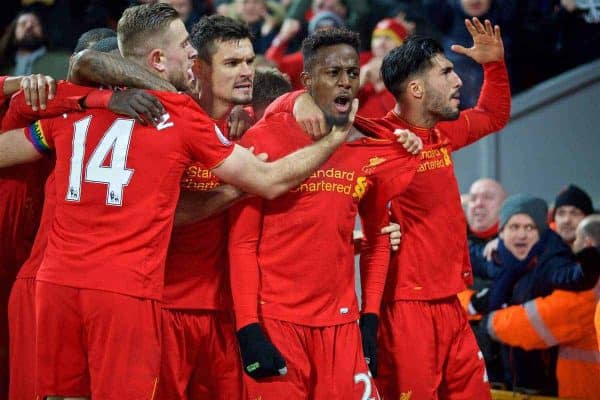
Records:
x=247, y=172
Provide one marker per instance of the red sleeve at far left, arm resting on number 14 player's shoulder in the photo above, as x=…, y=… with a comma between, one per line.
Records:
x=68, y=98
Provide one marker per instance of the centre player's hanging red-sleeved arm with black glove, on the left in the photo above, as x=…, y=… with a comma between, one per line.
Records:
x=260, y=357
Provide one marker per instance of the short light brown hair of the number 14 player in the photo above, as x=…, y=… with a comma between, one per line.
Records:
x=139, y=22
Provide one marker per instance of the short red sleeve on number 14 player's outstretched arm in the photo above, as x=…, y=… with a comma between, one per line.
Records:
x=204, y=140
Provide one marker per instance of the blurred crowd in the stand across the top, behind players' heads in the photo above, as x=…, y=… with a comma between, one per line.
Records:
x=542, y=37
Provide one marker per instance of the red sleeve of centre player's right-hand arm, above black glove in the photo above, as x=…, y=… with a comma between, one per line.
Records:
x=375, y=250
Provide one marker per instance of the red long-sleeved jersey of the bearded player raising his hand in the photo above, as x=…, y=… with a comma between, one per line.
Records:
x=433, y=259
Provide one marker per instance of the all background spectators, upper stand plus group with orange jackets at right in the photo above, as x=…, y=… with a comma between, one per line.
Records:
x=542, y=38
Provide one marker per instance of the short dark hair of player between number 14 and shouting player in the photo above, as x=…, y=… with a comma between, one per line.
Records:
x=214, y=28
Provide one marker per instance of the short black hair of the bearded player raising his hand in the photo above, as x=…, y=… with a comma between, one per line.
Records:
x=413, y=57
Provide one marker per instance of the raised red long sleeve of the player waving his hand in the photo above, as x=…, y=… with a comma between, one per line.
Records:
x=491, y=113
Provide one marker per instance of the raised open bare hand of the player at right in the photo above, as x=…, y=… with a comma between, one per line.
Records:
x=487, y=42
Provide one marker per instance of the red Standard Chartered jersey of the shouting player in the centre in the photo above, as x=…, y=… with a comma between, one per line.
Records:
x=294, y=255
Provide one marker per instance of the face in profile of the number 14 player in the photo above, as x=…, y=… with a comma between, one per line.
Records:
x=179, y=54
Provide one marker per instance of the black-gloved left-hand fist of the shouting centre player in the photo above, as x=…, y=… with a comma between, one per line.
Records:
x=260, y=358
